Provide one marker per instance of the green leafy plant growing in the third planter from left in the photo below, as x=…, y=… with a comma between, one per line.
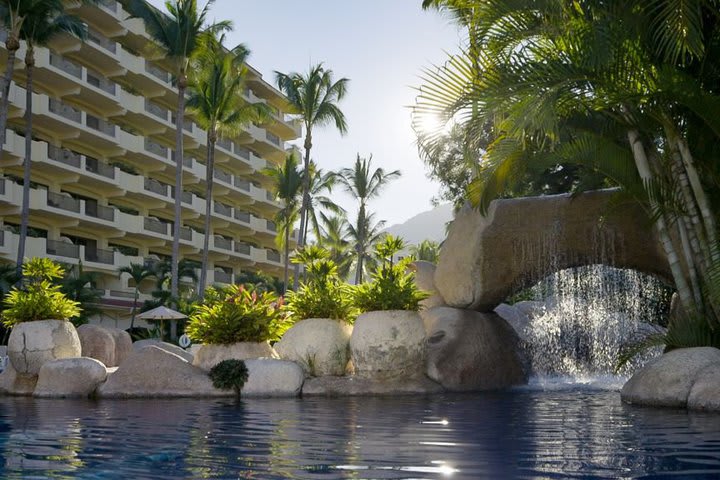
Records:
x=323, y=294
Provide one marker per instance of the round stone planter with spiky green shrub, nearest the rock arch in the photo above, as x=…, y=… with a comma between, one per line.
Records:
x=388, y=337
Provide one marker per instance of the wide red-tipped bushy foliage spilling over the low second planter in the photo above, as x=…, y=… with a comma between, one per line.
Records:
x=237, y=314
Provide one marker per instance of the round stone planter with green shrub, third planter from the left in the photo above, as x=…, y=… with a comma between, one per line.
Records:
x=322, y=310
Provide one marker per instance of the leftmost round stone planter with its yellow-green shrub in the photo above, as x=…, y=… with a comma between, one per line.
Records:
x=39, y=313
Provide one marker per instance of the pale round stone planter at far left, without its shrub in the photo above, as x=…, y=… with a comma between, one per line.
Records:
x=31, y=344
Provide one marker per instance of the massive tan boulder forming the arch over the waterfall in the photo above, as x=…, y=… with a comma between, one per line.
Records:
x=522, y=240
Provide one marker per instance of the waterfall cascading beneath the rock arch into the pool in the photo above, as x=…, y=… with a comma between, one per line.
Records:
x=578, y=319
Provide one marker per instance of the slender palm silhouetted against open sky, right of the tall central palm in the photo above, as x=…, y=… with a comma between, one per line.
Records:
x=364, y=186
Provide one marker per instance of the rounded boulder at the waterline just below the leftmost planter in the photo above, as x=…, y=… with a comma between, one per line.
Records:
x=70, y=377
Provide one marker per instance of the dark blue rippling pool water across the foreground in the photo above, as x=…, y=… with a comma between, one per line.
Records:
x=569, y=432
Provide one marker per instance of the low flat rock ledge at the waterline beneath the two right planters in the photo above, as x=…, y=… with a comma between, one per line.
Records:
x=350, y=386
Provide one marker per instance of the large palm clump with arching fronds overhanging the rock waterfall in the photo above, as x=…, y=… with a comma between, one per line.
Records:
x=629, y=89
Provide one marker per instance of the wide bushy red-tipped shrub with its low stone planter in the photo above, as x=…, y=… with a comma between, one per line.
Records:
x=237, y=322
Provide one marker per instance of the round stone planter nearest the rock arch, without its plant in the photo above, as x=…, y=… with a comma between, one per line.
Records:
x=388, y=345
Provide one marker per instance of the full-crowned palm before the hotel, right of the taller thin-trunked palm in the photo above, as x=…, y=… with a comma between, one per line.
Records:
x=215, y=98
